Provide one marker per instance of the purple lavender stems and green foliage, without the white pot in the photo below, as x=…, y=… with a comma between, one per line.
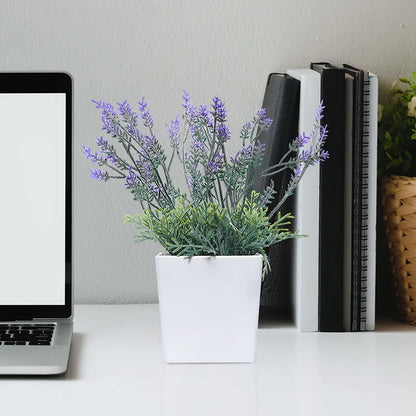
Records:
x=219, y=213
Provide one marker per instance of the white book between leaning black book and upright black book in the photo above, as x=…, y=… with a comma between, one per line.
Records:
x=306, y=261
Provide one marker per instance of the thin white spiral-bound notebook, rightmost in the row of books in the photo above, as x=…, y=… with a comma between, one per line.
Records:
x=372, y=201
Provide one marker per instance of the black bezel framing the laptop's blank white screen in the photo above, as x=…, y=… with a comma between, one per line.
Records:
x=47, y=82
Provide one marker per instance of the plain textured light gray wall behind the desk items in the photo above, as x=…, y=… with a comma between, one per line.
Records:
x=127, y=49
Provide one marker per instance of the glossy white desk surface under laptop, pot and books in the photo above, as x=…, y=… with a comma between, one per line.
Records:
x=116, y=368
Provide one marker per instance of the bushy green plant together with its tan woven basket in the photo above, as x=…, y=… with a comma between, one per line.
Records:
x=397, y=169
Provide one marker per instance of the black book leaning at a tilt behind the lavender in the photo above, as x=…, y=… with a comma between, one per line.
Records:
x=281, y=101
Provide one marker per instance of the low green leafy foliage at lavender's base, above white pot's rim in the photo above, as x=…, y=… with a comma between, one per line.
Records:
x=208, y=229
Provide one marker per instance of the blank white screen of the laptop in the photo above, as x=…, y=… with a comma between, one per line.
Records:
x=32, y=209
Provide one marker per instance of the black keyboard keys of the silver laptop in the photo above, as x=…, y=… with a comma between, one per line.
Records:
x=26, y=334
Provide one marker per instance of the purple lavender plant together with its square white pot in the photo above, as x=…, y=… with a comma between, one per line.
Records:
x=214, y=232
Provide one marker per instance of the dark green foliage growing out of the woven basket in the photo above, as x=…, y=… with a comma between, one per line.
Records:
x=397, y=130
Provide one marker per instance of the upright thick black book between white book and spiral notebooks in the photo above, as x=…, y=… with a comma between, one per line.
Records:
x=331, y=200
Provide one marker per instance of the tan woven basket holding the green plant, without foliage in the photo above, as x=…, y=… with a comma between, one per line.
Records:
x=399, y=207
